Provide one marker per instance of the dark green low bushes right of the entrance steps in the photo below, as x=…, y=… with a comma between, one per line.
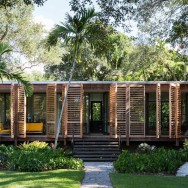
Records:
x=160, y=160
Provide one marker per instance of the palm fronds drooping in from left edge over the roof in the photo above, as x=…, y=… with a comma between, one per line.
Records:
x=4, y=73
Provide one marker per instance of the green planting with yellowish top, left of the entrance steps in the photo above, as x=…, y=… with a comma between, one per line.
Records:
x=36, y=156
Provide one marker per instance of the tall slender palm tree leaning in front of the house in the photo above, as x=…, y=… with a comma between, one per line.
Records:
x=75, y=31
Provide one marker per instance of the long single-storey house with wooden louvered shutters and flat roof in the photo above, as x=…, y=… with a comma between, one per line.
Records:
x=132, y=111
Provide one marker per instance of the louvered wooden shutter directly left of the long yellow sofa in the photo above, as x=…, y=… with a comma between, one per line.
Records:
x=21, y=111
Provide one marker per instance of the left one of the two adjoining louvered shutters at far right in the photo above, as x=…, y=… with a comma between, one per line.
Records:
x=172, y=106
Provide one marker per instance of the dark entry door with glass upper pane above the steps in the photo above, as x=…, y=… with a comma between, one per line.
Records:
x=96, y=122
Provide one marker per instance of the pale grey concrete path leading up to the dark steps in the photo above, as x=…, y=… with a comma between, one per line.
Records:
x=97, y=175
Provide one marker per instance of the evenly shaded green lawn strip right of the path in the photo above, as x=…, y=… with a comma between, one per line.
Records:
x=136, y=181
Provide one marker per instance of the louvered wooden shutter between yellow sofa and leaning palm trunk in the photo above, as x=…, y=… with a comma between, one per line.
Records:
x=51, y=108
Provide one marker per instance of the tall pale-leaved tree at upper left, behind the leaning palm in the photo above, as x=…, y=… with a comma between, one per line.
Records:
x=26, y=39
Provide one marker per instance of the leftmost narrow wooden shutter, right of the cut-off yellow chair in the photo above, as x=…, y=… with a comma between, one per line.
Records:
x=13, y=97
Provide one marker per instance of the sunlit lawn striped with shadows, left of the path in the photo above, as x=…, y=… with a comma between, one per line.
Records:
x=55, y=178
